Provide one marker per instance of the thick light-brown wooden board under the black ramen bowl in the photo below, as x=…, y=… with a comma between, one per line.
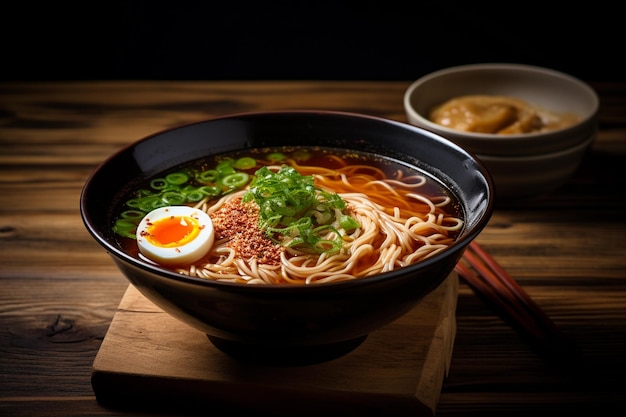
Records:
x=151, y=361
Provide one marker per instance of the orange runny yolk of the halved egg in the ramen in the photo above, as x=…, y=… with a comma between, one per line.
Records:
x=173, y=231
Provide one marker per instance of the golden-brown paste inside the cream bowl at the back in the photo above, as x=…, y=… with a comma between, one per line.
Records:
x=497, y=114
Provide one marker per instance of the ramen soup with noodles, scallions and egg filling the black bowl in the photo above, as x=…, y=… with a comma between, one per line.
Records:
x=291, y=216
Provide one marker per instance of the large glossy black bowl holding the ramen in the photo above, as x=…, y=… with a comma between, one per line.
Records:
x=316, y=322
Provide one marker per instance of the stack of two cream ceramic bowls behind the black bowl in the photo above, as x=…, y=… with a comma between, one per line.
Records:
x=522, y=165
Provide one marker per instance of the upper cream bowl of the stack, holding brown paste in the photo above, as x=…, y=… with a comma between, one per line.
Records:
x=540, y=87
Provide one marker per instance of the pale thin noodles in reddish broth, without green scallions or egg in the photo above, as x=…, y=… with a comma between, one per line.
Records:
x=399, y=226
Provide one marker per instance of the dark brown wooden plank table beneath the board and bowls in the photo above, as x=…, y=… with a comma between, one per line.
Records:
x=59, y=290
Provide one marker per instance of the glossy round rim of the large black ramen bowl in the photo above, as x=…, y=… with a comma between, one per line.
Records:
x=120, y=255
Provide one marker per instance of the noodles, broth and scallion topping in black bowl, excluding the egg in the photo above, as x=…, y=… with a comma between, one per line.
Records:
x=368, y=216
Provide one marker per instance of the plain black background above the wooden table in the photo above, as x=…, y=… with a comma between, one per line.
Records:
x=339, y=40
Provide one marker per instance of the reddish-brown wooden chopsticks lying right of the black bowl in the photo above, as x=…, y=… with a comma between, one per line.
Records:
x=490, y=281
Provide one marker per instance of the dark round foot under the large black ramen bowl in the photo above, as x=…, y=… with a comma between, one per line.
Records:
x=275, y=356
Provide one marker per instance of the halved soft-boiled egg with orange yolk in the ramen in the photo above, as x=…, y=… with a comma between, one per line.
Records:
x=175, y=235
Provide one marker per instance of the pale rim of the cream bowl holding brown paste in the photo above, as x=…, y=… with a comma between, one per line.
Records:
x=510, y=67
